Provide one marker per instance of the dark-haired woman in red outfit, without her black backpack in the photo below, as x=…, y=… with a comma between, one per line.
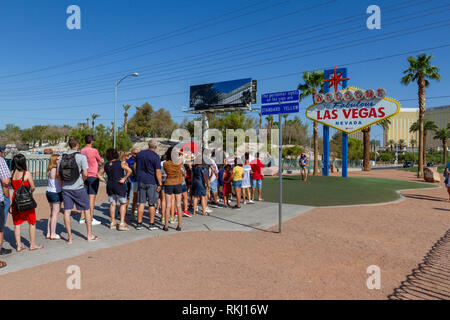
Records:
x=19, y=173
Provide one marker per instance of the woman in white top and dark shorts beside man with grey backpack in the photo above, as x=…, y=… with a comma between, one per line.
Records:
x=54, y=197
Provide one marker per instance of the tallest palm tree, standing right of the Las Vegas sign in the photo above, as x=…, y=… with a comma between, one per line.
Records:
x=420, y=70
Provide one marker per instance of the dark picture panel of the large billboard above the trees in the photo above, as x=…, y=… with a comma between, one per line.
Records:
x=222, y=95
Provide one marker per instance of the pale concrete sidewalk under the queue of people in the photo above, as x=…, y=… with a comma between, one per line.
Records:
x=252, y=217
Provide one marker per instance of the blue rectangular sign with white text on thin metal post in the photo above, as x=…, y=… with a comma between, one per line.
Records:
x=288, y=102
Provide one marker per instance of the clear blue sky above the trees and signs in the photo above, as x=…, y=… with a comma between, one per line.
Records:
x=195, y=42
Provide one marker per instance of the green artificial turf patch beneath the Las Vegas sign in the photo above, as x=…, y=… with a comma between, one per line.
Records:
x=321, y=191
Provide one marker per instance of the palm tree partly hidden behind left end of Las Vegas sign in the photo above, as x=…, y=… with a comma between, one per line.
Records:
x=313, y=83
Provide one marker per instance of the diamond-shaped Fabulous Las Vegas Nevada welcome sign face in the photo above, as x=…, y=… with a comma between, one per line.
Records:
x=352, y=109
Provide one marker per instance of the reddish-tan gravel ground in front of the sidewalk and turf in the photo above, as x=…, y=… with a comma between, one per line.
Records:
x=322, y=254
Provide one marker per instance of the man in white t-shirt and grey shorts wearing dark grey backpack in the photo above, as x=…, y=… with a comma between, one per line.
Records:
x=73, y=171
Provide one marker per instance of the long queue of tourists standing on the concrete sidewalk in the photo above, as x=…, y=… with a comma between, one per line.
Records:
x=170, y=185
